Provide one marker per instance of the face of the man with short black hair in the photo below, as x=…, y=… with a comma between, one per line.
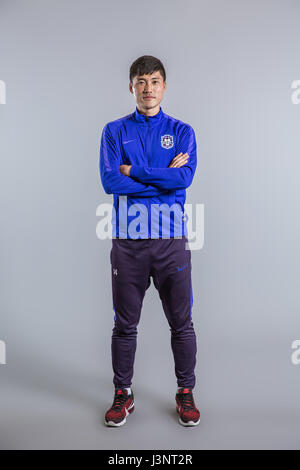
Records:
x=148, y=91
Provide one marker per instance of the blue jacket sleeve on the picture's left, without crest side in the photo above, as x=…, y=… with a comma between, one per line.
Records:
x=113, y=181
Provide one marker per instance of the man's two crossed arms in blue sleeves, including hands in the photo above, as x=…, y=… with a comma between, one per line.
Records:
x=146, y=181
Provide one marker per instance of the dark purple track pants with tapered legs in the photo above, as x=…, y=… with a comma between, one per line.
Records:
x=168, y=262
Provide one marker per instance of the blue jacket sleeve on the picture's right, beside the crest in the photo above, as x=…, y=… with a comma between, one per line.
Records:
x=172, y=178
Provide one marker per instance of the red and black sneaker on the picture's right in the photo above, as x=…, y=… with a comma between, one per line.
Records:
x=189, y=415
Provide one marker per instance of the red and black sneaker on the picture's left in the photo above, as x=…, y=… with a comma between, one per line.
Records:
x=123, y=405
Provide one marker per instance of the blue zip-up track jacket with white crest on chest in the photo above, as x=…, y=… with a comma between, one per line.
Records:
x=148, y=143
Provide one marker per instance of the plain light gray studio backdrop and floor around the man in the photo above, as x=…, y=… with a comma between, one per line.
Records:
x=229, y=68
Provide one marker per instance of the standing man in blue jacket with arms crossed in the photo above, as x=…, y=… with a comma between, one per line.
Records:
x=148, y=159
